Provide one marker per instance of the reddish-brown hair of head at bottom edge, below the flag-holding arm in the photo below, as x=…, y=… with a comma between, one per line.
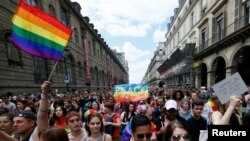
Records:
x=54, y=134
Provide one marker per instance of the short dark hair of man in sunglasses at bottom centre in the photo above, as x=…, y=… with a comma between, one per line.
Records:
x=139, y=120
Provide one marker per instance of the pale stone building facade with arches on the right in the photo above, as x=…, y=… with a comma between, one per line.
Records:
x=219, y=30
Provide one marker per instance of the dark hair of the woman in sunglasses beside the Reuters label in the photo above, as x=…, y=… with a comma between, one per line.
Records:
x=172, y=126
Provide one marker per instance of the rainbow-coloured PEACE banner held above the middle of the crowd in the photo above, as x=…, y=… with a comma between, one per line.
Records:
x=130, y=92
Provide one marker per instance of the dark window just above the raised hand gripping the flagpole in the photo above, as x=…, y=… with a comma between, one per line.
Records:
x=40, y=70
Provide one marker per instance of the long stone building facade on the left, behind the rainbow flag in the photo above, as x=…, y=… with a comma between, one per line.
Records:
x=88, y=62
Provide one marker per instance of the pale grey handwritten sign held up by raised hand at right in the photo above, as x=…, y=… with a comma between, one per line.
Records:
x=232, y=85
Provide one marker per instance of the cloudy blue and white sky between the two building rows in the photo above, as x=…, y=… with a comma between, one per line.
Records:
x=131, y=26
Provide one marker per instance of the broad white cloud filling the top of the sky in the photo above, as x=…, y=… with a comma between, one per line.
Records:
x=133, y=18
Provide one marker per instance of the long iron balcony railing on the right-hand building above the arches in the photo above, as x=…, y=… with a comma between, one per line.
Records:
x=232, y=28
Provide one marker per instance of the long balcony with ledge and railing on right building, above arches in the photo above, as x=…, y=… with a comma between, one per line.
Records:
x=238, y=31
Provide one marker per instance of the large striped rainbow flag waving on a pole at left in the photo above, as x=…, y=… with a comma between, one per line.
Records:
x=38, y=33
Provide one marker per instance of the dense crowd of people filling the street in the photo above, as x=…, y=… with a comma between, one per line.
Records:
x=84, y=115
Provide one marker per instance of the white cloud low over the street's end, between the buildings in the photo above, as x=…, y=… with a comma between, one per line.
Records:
x=137, y=58
